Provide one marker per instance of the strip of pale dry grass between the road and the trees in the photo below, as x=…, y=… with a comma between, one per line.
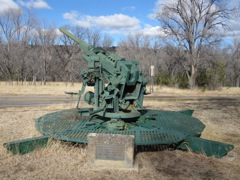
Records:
x=58, y=88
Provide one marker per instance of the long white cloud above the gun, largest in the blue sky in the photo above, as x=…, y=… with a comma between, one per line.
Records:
x=116, y=23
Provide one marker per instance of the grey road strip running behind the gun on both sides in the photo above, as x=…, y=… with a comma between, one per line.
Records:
x=40, y=100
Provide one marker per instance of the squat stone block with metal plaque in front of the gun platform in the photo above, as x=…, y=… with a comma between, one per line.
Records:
x=110, y=151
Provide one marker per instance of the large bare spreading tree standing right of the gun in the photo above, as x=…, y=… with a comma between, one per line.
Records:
x=192, y=25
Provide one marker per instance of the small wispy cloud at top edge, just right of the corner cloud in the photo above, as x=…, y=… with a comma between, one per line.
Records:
x=38, y=4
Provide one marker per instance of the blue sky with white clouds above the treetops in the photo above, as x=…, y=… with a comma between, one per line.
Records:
x=116, y=17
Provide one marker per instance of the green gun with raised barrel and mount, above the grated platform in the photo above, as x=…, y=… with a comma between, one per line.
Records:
x=122, y=97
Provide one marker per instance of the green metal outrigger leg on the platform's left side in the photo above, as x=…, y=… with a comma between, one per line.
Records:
x=27, y=145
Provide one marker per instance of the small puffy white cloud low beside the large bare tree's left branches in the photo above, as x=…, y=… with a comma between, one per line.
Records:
x=152, y=31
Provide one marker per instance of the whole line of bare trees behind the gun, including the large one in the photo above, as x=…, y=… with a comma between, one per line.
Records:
x=189, y=54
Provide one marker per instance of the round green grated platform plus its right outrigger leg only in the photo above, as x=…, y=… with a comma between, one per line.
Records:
x=154, y=127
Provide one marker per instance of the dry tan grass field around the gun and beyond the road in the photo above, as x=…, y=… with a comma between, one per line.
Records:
x=64, y=161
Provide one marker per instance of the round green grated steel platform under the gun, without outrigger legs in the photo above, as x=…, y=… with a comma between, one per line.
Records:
x=154, y=127
